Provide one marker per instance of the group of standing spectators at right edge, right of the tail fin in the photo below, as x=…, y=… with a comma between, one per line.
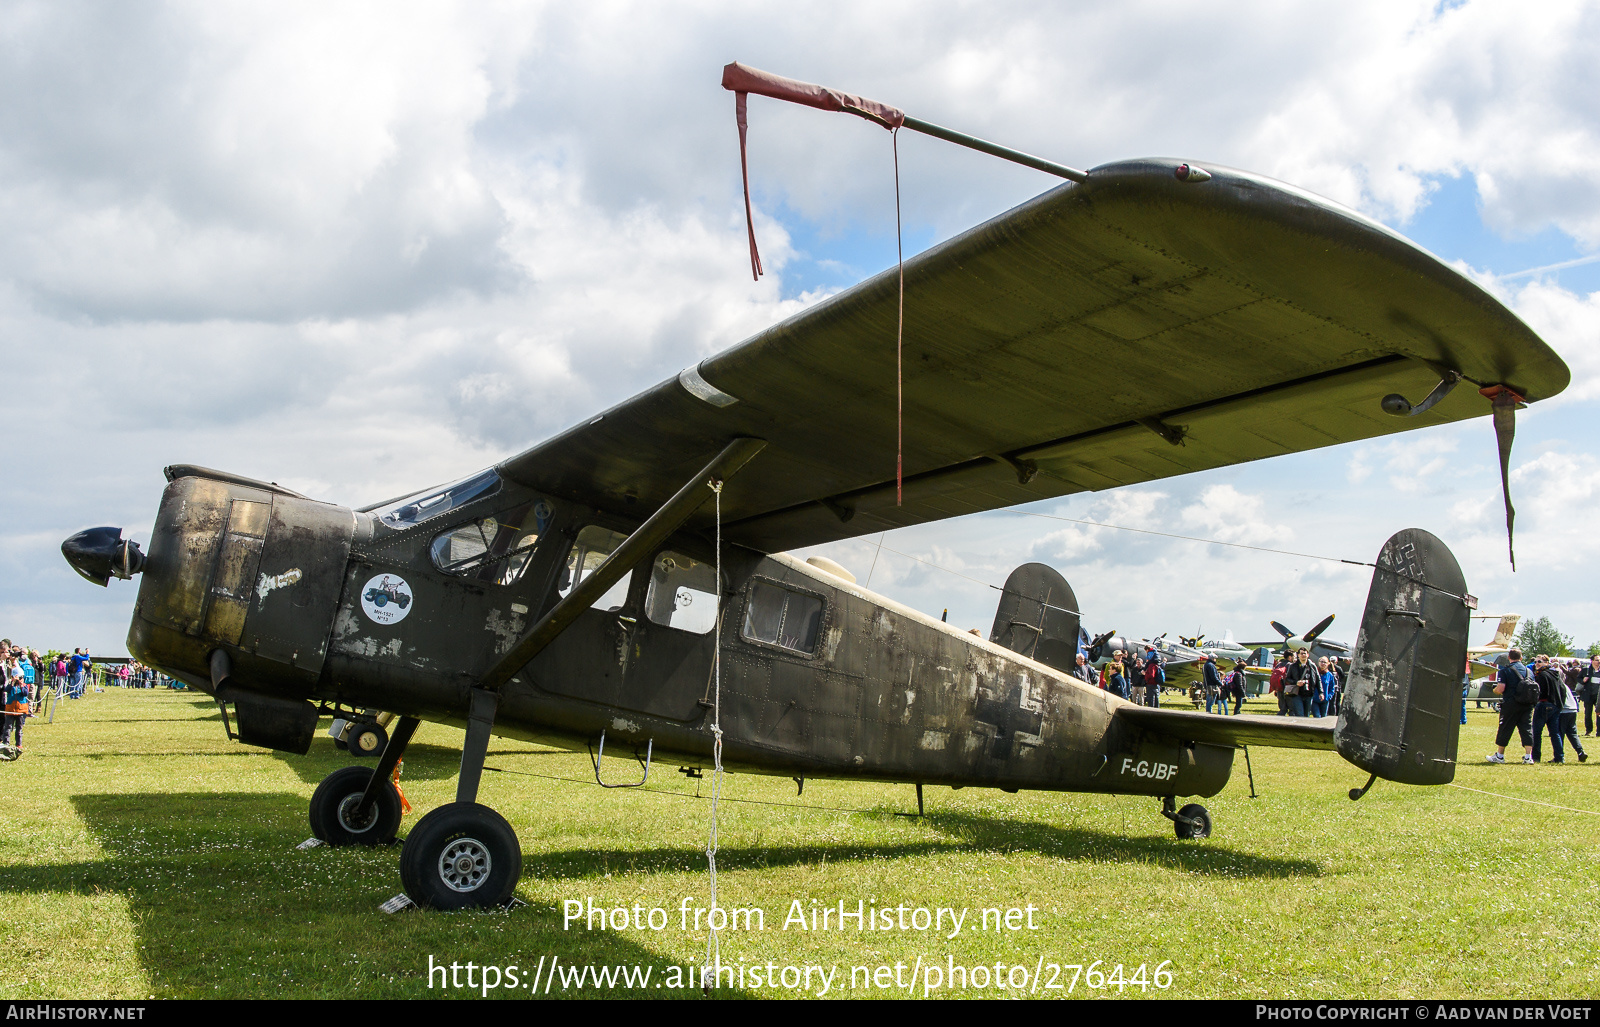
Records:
x=1543, y=700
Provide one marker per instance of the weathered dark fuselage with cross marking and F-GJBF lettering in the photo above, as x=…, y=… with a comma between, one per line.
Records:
x=316, y=604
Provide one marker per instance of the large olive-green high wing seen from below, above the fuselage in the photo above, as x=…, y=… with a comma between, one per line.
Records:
x=1121, y=330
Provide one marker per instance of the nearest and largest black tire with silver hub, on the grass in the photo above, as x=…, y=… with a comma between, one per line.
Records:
x=462, y=857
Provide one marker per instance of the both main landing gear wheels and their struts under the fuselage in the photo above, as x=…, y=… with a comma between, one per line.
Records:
x=458, y=857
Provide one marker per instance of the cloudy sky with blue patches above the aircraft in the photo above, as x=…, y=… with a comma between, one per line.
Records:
x=366, y=249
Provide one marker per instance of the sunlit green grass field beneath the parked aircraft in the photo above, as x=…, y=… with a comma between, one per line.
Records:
x=148, y=857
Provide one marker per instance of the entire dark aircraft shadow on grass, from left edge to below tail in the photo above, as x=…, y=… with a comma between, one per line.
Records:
x=220, y=897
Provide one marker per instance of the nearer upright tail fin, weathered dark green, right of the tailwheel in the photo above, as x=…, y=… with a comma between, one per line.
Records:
x=1402, y=705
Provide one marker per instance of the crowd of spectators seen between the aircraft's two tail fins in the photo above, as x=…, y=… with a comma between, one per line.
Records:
x=1303, y=687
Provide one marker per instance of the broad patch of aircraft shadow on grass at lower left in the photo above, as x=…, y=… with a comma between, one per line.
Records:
x=220, y=897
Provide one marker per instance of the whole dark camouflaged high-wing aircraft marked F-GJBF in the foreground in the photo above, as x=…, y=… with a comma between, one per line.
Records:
x=1145, y=321
